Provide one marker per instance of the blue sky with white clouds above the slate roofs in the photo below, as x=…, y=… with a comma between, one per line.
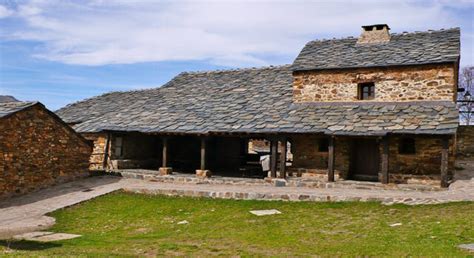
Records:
x=59, y=52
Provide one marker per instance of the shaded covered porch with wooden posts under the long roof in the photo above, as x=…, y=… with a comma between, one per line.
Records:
x=401, y=159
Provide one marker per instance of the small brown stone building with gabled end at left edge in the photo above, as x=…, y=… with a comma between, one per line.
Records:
x=37, y=149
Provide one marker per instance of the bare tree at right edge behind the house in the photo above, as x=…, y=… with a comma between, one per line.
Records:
x=465, y=98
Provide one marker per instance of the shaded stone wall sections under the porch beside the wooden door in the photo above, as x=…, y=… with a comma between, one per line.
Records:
x=421, y=167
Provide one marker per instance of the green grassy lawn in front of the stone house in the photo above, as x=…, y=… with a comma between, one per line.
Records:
x=139, y=225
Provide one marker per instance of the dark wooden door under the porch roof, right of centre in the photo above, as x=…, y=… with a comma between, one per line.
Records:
x=365, y=160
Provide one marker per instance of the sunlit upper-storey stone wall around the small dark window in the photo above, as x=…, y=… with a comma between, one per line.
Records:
x=433, y=82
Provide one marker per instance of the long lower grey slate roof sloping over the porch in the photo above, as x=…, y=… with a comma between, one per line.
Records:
x=257, y=100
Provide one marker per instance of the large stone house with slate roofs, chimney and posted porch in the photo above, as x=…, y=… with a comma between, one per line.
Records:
x=380, y=107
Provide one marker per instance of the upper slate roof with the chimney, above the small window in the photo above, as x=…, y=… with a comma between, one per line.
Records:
x=439, y=46
